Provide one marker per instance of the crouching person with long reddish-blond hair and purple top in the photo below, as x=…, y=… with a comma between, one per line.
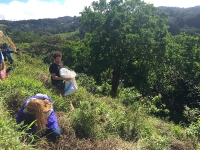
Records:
x=38, y=113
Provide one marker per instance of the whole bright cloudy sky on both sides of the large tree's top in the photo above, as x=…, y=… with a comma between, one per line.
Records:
x=39, y=9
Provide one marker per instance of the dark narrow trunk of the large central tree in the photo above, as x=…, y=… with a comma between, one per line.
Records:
x=115, y=81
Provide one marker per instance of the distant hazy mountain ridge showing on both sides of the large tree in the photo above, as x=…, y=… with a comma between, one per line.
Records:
x=180, y=20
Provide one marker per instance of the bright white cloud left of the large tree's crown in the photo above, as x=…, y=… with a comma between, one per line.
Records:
x=37, y=9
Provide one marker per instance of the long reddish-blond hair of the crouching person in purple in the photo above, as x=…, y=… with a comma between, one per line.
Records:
x=39, y=108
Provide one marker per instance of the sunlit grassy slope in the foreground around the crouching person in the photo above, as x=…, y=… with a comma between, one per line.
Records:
x=98, y=118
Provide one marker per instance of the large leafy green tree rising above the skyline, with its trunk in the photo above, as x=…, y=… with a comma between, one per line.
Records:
x=123, y=36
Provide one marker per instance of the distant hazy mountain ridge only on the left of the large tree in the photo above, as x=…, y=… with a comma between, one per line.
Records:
x=41, y=26
